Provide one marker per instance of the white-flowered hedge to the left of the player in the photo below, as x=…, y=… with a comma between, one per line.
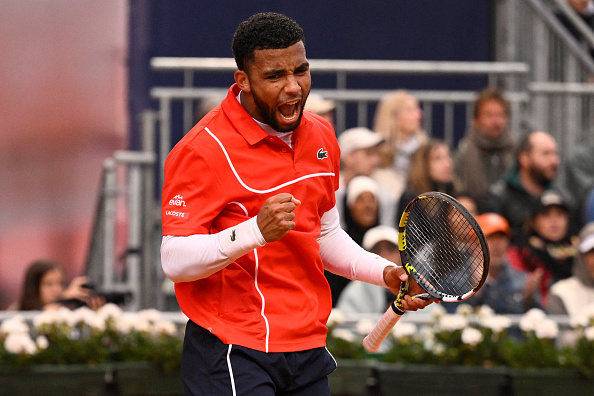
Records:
x=84, y=336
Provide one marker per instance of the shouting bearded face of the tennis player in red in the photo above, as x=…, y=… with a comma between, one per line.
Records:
x=276, y=85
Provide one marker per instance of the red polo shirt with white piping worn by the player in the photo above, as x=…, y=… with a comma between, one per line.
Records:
x=275, y=298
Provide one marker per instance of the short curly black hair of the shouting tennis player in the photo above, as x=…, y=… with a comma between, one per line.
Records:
x=267, y=30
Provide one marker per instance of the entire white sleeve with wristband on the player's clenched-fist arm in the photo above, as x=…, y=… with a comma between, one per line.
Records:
x=185, y=259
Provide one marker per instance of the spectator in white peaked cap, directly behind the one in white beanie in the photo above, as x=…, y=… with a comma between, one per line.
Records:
x=359, y=156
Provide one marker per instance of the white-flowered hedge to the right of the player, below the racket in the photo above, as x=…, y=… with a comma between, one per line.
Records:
x=474, y=337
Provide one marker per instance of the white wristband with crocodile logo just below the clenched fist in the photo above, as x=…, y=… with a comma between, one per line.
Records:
x=241, y=239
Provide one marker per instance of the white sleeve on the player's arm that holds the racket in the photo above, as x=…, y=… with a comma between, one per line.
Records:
x=342, y=256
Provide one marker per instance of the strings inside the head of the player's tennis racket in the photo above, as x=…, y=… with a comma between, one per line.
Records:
x=443, y=248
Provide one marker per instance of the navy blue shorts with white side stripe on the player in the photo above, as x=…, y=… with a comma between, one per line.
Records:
x=212, y=368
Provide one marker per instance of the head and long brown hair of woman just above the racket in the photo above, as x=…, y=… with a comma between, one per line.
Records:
x=431, y=169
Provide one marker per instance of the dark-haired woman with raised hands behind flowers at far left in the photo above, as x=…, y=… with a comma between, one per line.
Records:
x=43, y=289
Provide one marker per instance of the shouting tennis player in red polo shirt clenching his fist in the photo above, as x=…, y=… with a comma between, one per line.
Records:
x=250, y=224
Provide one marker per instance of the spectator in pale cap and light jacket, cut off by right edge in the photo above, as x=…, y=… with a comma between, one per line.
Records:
x=572, y=295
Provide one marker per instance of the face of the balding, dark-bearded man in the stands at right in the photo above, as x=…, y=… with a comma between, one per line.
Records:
x=543, y=160
